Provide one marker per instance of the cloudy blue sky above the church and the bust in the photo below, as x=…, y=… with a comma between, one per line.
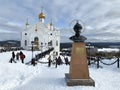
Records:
x=101, y=18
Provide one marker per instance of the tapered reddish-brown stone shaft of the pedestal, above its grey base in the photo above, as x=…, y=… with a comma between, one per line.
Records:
x=78, y=64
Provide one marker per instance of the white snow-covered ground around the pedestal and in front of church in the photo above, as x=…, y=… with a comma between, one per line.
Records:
x=18, y=76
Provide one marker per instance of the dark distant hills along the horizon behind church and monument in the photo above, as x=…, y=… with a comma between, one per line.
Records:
x=66, y=45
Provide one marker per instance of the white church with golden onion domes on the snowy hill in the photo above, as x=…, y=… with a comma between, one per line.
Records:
x=42, y=35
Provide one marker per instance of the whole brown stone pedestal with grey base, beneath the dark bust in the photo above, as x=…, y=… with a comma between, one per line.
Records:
x=79, y=73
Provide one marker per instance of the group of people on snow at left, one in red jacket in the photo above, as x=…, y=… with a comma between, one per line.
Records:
x=19, y=55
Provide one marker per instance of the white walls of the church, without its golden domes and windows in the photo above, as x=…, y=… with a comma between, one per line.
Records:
x=44, y=33
